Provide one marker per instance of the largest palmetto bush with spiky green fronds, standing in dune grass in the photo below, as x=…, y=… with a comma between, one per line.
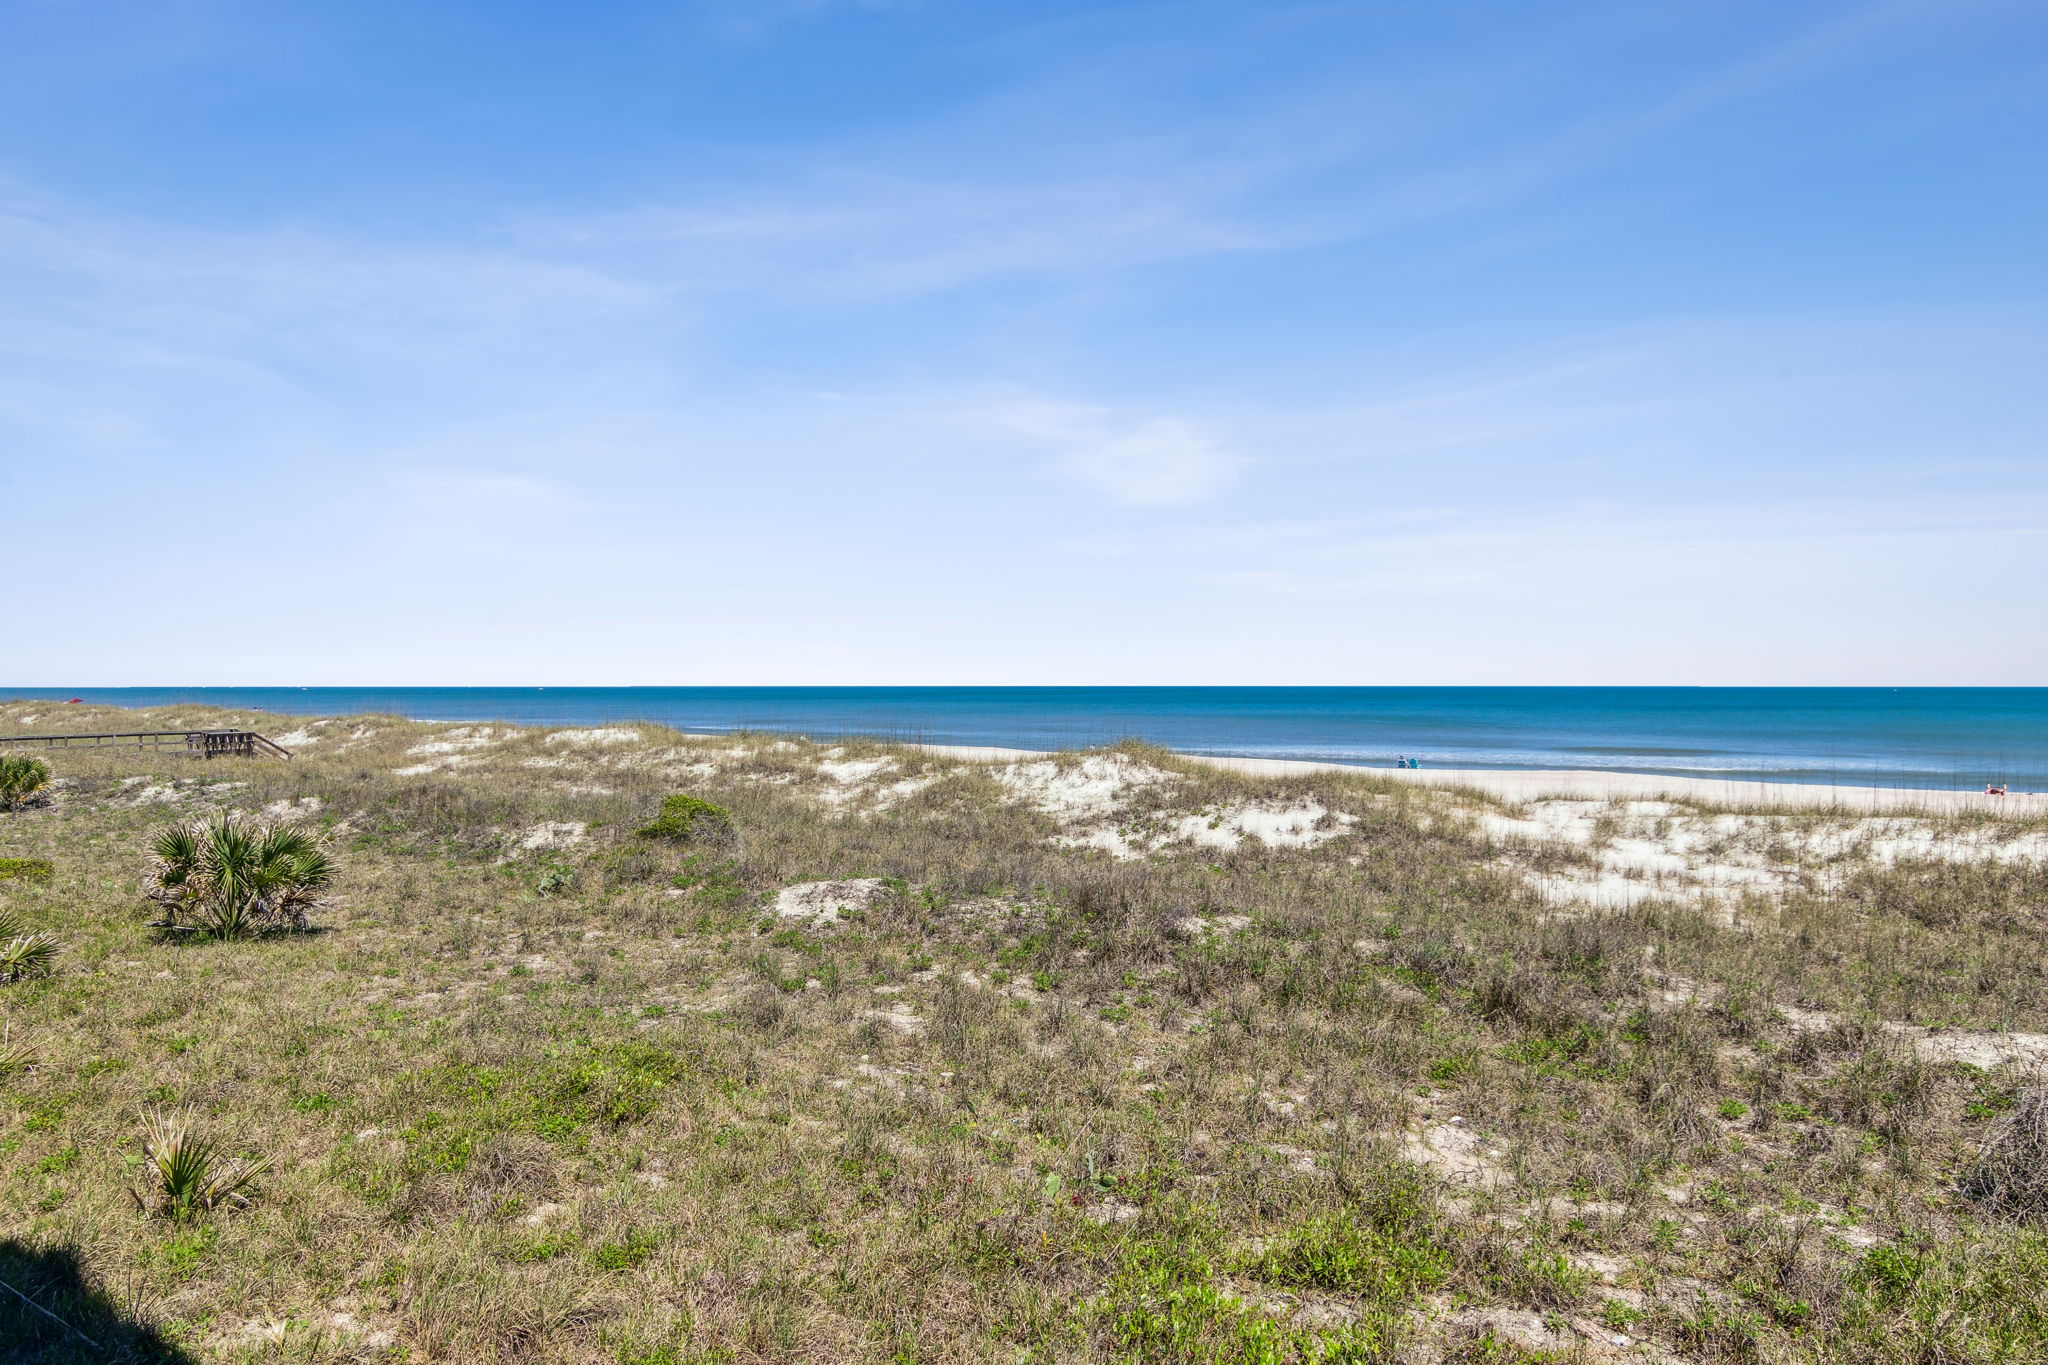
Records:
x=237, y=877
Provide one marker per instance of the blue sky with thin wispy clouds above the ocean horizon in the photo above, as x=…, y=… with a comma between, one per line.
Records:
x=976, y=343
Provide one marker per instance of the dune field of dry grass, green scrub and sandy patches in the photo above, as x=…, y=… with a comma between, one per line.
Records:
x=472, y=1043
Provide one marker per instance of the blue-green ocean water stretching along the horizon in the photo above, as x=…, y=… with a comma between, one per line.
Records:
x=1930, y=738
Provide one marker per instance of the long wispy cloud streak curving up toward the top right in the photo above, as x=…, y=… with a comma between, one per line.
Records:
x=912, y=214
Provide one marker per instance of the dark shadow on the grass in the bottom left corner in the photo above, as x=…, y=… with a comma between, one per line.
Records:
x=50, y=1315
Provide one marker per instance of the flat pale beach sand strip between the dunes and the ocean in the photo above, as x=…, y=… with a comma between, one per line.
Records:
x=1580, y=785
